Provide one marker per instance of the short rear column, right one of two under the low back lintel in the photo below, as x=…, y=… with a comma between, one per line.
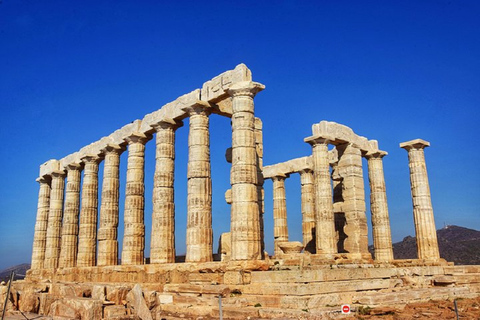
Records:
x=308, y=210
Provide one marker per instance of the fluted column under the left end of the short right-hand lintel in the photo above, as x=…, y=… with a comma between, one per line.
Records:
x=325, y=222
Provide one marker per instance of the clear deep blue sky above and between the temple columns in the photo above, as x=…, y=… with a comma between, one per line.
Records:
x=74, y=71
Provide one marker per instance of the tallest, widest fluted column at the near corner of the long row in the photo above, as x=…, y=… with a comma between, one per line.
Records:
x=245, y=215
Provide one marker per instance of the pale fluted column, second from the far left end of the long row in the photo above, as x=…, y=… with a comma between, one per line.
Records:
x=54, y=227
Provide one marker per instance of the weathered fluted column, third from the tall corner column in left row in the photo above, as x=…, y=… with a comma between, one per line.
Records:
x=162, y=249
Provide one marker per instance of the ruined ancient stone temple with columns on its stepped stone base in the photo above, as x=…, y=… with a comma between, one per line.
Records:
x=285, y=282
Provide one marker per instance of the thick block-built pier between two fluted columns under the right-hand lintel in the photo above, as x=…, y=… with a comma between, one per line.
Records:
x=353, y=193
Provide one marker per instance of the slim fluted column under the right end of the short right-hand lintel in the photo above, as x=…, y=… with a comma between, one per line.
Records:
x=382, y=238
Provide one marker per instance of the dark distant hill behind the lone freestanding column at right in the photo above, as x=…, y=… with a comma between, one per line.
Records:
x=456, y=244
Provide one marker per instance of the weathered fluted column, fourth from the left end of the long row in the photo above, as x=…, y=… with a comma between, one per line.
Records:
x=87, y=234
